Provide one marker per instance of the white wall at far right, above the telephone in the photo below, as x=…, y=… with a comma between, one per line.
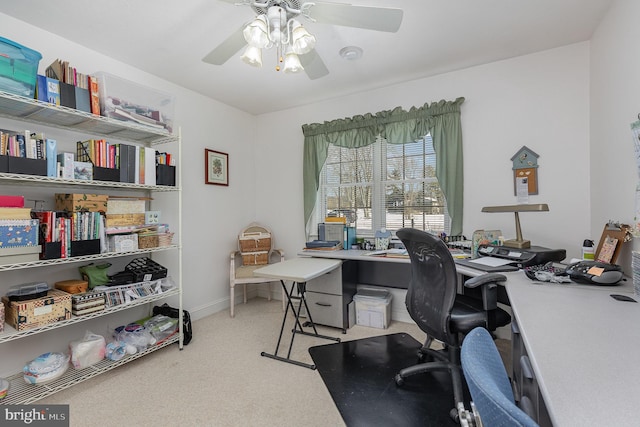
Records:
x=615, y=84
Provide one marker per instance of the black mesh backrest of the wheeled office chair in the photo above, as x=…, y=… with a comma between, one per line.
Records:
x=432, y=290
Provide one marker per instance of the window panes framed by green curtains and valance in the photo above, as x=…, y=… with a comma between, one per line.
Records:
x=383, y=186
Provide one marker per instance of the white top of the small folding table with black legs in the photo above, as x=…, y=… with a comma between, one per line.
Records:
x=298, y=269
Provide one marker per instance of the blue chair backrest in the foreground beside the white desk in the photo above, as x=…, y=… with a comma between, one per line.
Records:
x=489, y=383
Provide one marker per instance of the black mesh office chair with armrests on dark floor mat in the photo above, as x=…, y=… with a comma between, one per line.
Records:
x=444, y=315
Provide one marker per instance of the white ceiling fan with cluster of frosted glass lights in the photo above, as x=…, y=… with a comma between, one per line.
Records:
x=277, y=25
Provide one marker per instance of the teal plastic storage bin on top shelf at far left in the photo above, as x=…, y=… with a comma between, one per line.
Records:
x=18, y=68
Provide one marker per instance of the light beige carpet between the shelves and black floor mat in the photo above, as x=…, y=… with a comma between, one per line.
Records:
x=219, y=379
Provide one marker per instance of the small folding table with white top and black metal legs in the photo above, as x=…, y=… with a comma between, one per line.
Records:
x=298, y=271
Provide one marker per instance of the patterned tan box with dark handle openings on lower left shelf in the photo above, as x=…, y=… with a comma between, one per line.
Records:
x=29, y=314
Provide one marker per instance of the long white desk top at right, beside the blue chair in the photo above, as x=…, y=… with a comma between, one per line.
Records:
x=584, y=348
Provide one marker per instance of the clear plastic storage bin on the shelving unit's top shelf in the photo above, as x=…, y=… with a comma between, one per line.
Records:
x=125, y=100
